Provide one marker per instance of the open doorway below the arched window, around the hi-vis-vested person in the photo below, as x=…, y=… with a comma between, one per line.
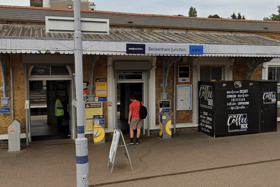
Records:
x=43, y=122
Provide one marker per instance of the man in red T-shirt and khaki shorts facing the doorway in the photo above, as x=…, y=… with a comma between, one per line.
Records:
x=134, y=120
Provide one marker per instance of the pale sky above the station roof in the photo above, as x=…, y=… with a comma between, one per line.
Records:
x=251, y=9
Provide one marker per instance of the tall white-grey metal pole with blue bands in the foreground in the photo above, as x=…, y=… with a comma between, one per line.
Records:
x=81, y=141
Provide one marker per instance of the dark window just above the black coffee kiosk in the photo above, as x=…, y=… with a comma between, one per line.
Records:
x=210, y=73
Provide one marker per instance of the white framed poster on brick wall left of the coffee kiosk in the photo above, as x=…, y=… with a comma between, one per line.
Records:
x=184, y=97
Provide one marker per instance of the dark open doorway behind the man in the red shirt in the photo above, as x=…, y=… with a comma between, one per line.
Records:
x=124, y=91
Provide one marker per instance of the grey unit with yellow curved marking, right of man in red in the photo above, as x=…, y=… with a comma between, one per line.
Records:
x=165, y=123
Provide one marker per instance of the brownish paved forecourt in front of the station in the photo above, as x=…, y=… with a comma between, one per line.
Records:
x=188, y=159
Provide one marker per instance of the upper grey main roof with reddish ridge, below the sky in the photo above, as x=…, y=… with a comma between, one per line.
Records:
x=144, y=20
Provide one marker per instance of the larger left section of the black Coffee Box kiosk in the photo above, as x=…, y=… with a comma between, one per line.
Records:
x=228, y=108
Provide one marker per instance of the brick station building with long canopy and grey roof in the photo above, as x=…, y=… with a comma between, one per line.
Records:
x=155, y=57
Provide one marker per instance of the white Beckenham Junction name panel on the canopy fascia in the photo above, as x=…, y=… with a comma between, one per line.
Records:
x=167, y=49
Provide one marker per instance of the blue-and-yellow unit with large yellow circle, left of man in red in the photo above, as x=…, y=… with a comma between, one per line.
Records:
x=99, y=129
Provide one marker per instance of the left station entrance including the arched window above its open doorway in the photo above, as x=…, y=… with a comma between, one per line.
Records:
x=46, y=83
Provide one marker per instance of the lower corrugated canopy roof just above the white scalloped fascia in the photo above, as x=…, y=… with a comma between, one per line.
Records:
x=127, y=35
